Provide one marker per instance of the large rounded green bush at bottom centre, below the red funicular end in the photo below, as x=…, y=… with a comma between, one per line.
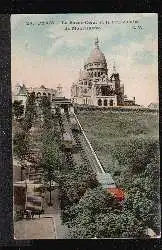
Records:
x=99, y=215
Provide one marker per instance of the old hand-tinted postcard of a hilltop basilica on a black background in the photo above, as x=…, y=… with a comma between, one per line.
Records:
x=85, y=126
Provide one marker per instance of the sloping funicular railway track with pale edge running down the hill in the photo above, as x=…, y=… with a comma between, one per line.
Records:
x=76, y=144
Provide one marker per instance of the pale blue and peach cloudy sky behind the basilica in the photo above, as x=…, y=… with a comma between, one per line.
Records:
x=46, y=53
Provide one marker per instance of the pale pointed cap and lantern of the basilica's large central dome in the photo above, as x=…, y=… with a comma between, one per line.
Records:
x=96, y=55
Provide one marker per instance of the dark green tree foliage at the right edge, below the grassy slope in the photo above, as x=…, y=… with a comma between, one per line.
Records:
x=143, y=195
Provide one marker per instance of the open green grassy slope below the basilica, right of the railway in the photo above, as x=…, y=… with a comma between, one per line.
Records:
x=120, y=137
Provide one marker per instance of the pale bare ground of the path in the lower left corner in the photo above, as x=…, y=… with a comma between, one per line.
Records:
x=48, y=226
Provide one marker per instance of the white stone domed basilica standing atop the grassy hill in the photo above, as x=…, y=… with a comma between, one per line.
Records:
x=95, y=86
